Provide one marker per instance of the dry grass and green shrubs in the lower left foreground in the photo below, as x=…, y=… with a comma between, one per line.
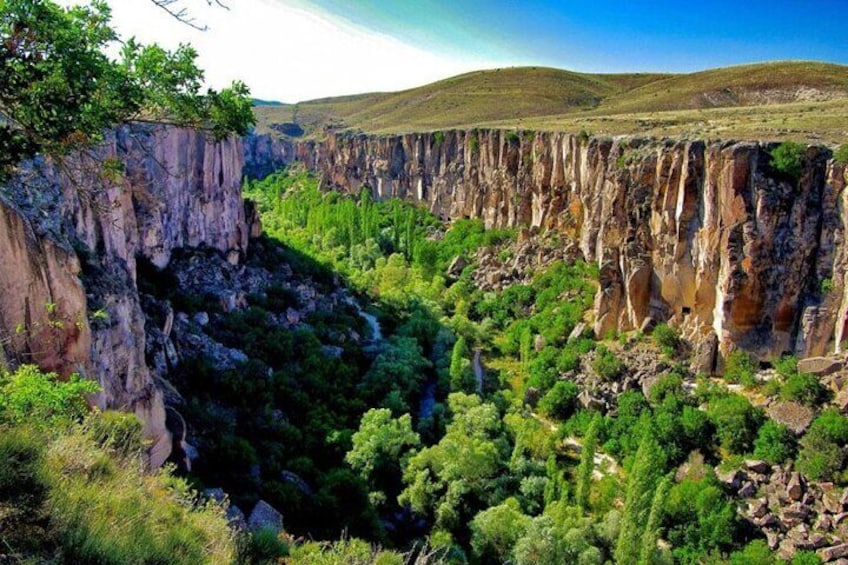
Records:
x=72, y=487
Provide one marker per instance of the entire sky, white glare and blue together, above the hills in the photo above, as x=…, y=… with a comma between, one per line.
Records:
x=291, y=50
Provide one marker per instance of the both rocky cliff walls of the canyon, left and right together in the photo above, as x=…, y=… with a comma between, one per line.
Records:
x=707, y=236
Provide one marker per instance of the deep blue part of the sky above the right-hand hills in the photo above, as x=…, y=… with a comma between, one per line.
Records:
x=613, y=36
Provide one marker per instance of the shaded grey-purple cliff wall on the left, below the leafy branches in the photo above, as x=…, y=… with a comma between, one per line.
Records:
x=69, y=299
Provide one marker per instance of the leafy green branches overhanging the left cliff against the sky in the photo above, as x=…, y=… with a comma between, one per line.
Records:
x=60, y=90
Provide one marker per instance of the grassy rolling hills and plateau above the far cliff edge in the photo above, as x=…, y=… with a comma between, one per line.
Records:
x=800, y=101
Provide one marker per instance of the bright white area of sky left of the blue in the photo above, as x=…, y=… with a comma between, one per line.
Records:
x=287, y=51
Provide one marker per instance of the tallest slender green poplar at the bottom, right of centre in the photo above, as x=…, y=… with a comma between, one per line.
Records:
x=642, y=479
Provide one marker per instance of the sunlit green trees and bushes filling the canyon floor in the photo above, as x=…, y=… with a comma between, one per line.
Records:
x=488, y=473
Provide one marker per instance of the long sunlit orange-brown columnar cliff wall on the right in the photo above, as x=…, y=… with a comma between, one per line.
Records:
x=707, y=236
